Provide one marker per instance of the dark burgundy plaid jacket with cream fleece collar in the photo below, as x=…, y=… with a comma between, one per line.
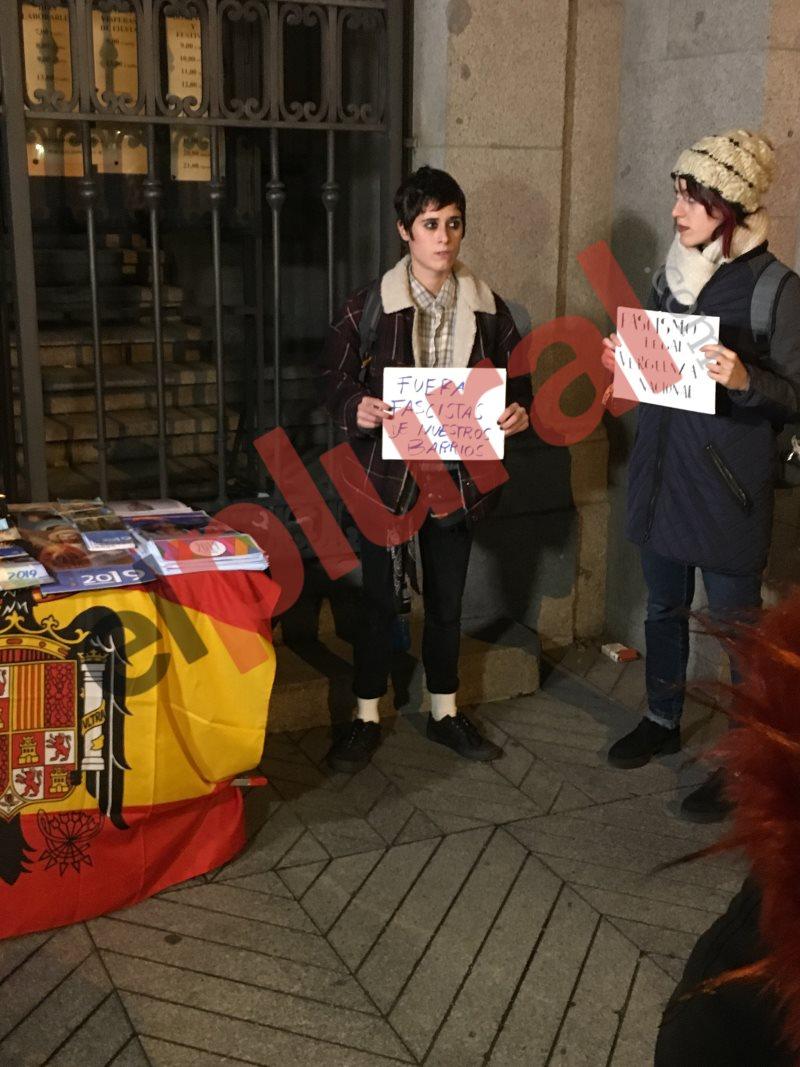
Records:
x=395, y=347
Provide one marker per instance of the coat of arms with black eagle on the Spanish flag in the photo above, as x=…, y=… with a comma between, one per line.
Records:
x=62, y=692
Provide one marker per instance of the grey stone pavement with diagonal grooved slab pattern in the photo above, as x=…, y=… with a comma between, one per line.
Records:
x=426, y=911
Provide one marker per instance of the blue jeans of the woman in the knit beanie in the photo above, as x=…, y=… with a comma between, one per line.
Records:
x=732, y=599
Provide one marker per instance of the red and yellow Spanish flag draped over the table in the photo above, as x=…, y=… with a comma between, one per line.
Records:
x=124, y=718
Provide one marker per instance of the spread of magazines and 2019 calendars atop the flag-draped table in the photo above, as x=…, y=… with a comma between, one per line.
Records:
x=88, y=546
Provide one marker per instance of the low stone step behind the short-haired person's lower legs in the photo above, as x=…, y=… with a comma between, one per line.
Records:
x=305, y=696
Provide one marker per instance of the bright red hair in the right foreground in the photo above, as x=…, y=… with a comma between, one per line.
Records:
x=763, y=761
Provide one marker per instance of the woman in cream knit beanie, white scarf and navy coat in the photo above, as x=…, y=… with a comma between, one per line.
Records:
x=701, y=487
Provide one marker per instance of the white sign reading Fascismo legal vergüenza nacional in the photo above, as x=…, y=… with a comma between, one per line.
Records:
x=661, y=362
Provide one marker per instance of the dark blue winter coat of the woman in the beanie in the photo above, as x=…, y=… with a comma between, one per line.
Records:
x=701, y=487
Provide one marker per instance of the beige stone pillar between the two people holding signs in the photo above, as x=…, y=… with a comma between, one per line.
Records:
x=519, y=102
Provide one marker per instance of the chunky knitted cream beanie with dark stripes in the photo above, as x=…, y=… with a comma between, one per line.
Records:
x=738, y=165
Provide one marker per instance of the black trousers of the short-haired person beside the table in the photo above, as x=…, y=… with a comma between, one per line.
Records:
x=445, y=555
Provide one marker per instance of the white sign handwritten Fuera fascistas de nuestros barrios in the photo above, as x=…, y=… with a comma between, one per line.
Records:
x=457, y=410
